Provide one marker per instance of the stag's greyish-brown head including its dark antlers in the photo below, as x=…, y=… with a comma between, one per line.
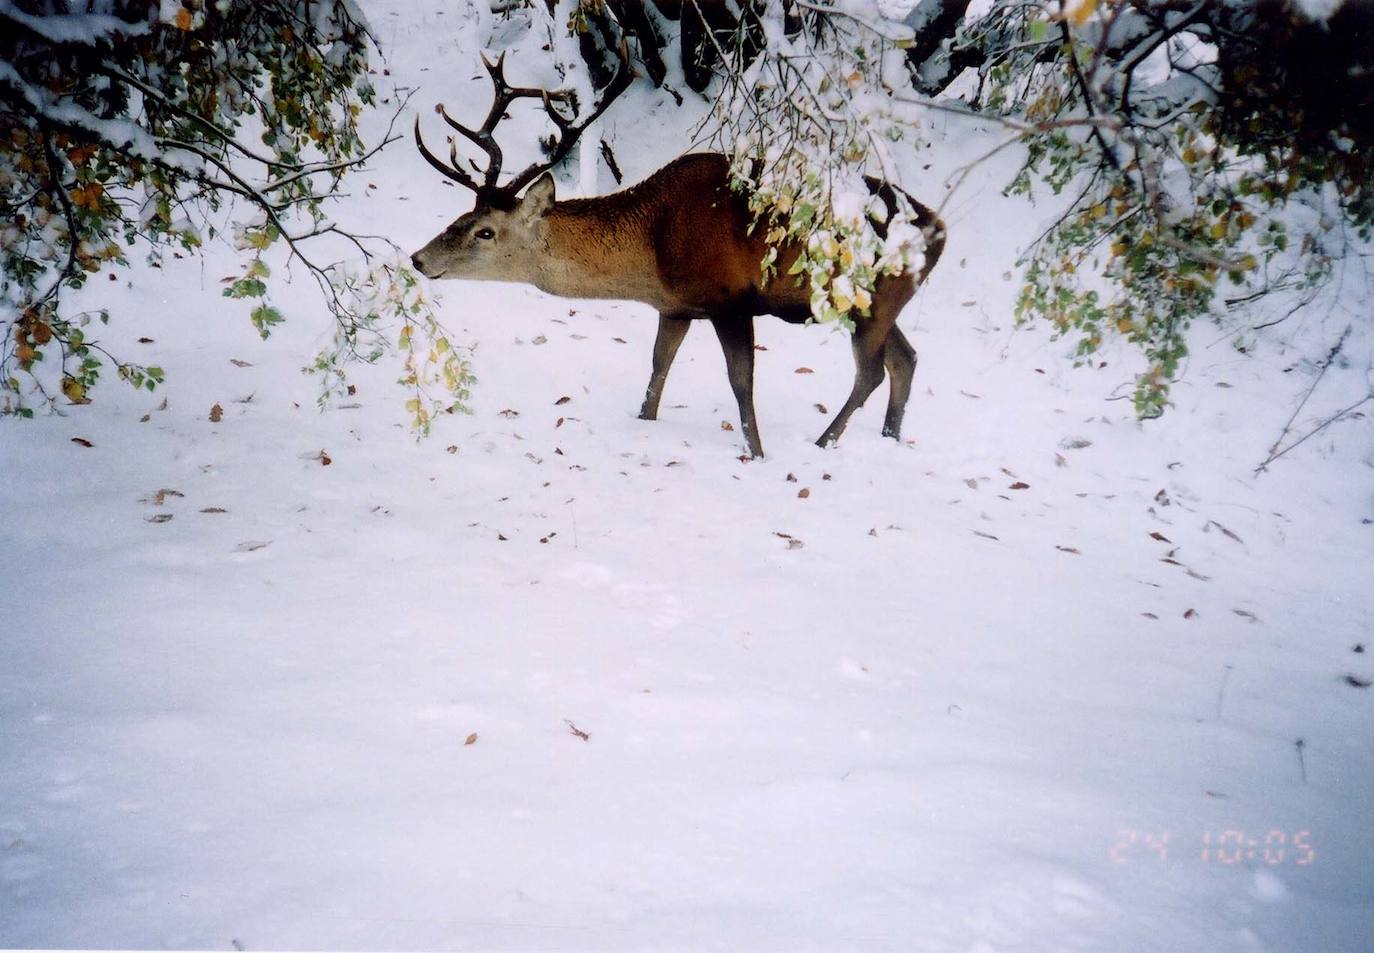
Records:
x=495, y=240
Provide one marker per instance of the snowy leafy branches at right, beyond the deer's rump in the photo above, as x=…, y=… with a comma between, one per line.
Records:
x=1195, y=160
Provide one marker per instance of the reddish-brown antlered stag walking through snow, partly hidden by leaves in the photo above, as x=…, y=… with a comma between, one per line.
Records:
x=682, y=242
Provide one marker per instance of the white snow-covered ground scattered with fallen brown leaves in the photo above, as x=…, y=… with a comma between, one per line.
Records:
x=1038, y=679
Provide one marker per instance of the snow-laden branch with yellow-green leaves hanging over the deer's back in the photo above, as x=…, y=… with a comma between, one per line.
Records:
x=804, y=126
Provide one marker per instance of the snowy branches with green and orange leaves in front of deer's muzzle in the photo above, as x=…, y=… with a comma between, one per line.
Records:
x=128, y=126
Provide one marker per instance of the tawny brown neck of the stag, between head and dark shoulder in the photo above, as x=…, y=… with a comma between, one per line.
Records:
x=597, y=251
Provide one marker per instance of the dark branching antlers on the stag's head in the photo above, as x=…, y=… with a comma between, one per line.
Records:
x=504, y=95
